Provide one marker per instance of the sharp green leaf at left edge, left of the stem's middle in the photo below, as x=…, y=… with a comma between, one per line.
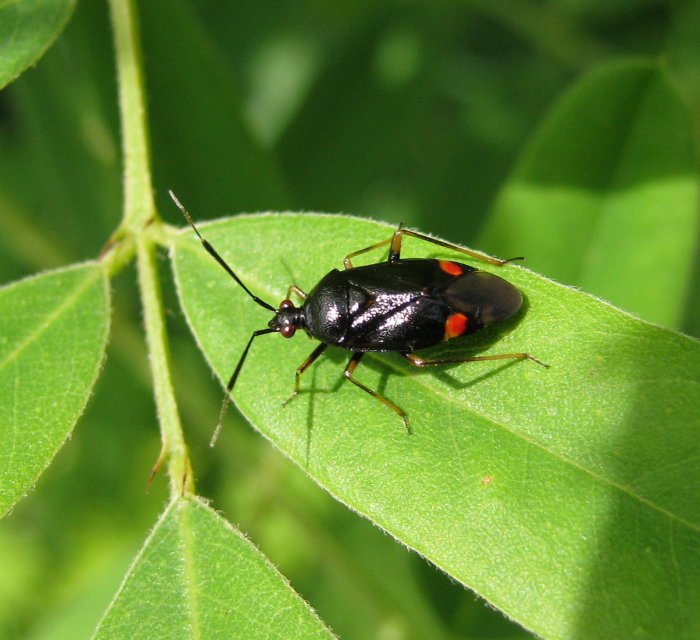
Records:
x=53, y=332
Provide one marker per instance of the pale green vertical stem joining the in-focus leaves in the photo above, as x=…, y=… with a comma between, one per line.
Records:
x=139, y=226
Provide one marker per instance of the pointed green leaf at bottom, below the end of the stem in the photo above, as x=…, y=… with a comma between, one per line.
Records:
x=198, y=577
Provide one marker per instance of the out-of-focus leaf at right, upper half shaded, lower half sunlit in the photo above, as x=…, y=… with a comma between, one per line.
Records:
x=605, y=195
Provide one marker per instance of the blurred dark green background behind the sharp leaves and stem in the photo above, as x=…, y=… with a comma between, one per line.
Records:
x=395, y=110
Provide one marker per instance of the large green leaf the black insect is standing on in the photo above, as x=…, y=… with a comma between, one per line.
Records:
x=566, y=497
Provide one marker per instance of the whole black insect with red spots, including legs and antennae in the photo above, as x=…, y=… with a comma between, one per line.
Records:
x=399, y=305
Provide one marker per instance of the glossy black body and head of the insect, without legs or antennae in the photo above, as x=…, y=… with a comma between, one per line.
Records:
x=400, y=306
